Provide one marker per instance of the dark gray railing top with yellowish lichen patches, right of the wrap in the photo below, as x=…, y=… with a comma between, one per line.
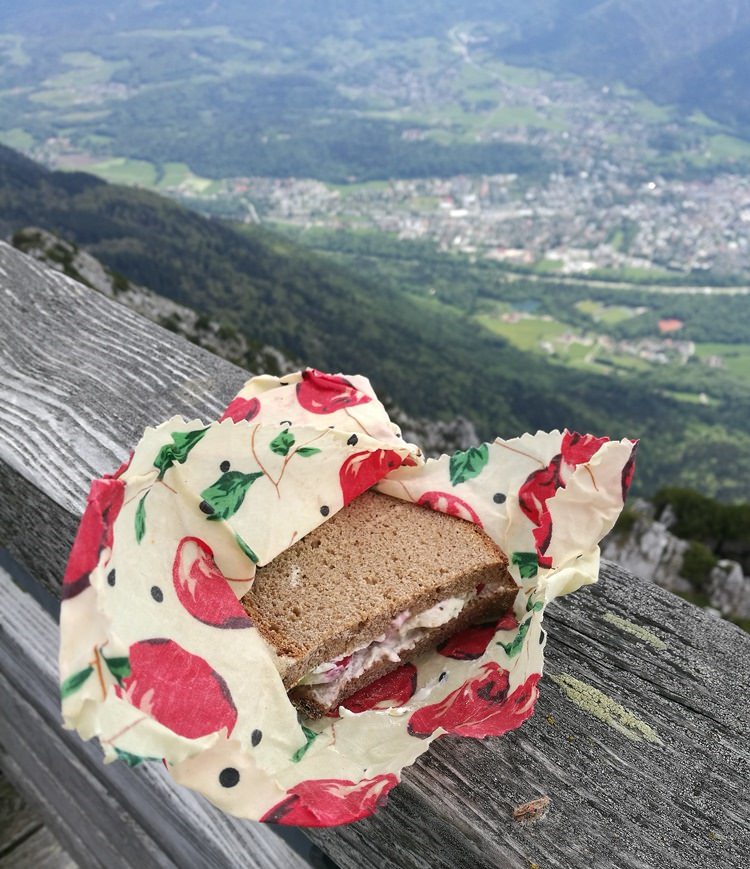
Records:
x=615, y=801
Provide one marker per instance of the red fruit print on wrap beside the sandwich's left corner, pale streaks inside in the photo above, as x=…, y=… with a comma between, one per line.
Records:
x=202, y=588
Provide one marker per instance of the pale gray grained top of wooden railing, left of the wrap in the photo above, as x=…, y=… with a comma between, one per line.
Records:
x=80, y=378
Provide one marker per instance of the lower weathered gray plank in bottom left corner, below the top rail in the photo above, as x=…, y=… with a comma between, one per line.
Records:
x=109, y=816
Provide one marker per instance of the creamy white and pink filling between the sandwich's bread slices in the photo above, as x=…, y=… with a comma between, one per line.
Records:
x=405, y=631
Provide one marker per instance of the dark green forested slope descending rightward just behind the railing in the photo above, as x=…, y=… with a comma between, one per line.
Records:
x=433, y=362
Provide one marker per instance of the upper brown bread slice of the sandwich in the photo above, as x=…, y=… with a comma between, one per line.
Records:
x=342, y=584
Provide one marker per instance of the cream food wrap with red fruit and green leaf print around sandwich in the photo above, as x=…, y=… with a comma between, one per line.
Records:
x=158, y=659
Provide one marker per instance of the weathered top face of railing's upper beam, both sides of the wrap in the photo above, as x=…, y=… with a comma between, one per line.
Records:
x=665, y=787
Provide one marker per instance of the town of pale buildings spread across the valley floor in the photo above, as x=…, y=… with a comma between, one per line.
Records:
x=571, y=223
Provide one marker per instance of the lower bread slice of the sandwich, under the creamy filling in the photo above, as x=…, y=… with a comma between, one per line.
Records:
x=475, y=612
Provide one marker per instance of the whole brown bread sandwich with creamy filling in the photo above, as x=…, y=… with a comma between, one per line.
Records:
x=372, y=587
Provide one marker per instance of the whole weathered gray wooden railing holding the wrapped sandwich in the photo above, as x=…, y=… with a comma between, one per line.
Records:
x=640, y=735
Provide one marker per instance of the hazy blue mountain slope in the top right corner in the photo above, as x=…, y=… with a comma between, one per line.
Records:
x=690, y=52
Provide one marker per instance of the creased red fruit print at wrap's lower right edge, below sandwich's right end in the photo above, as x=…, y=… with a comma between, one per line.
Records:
x=480, y=707
